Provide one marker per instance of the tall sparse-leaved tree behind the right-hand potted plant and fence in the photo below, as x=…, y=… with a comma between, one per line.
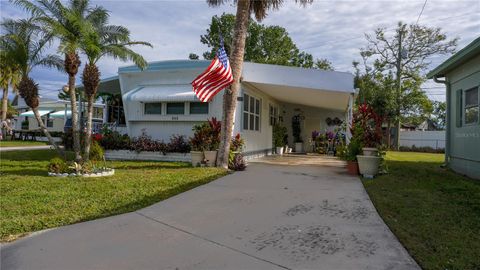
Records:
x=406, y=54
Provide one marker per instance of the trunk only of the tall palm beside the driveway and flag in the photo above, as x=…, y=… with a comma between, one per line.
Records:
x=230, y=95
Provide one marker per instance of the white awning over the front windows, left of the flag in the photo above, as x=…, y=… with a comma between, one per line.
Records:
x=159, y=93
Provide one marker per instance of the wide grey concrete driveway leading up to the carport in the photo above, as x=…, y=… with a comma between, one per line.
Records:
x=276, y=215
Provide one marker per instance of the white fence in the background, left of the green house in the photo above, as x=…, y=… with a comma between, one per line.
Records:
x=434, y=139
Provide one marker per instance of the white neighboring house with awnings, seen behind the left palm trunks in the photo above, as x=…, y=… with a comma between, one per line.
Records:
x=55, y=114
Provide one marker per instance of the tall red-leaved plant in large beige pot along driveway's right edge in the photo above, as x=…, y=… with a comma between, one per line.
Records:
x=367, y=126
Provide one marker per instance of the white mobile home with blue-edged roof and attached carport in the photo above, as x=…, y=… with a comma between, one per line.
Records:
x=160, y=101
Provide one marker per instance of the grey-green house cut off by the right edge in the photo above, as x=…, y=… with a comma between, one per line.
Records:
x=461, y=75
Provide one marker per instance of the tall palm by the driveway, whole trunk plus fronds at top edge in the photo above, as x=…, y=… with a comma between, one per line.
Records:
x=244, y=9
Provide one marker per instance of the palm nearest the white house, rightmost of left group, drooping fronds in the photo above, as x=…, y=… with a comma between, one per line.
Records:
x=104, y=40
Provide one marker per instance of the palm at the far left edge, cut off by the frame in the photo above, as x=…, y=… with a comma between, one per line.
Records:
x=9, y=77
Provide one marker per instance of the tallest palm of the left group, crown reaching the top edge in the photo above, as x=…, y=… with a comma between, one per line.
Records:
x=68, y=23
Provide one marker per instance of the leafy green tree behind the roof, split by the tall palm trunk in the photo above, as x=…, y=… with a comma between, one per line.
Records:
x=263, y=44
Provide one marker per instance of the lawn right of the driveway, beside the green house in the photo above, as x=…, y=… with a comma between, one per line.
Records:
x=434, y=212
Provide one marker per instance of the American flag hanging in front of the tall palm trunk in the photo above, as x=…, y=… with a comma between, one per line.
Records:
x=216, y=77
